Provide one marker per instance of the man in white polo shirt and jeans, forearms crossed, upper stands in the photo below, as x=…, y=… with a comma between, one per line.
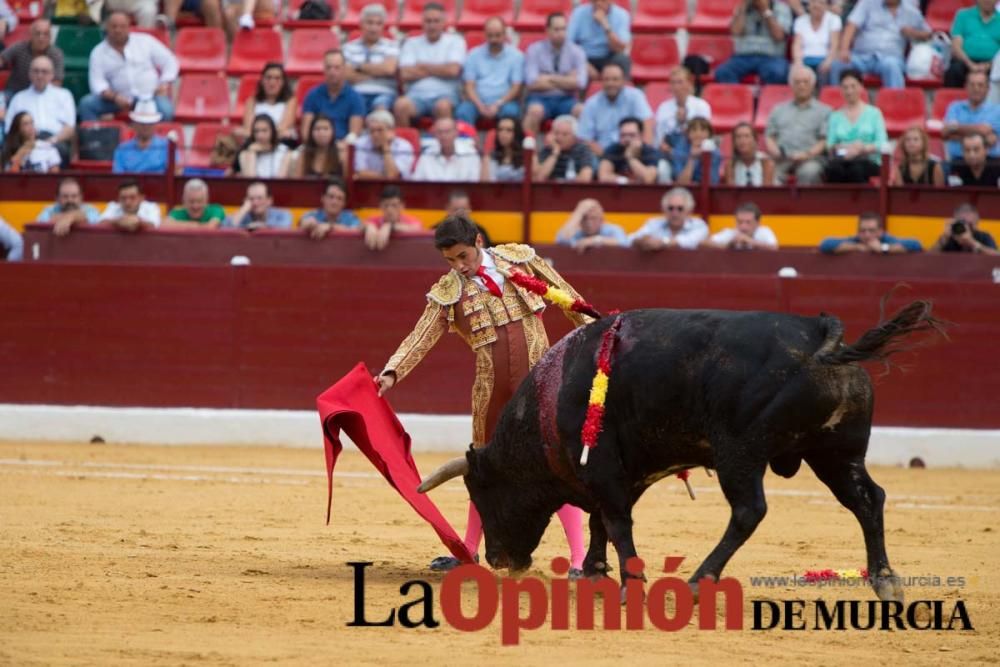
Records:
x=430, y=66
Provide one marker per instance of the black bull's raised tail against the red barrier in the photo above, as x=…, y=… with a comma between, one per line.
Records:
x=886, y=339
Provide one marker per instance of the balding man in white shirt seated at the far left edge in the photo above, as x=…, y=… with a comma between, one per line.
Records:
x=50, y=106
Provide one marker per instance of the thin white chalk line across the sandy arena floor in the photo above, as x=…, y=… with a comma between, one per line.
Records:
x=116, y=470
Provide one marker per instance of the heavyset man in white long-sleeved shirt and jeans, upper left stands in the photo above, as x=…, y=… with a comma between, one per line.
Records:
x=126, y=67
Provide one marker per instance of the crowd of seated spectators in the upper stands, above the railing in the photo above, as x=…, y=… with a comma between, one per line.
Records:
x=375, y=85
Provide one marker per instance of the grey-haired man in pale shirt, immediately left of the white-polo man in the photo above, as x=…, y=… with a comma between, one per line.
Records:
x=373, y=60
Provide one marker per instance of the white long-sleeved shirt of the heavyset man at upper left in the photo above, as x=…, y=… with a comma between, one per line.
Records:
x=147, y=64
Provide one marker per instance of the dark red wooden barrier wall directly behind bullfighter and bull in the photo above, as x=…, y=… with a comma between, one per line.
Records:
x=274, y=337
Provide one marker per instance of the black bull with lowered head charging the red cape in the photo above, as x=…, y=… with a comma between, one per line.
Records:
x=730, y=391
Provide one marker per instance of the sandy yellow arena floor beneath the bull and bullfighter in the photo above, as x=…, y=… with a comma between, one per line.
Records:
x=165, y=556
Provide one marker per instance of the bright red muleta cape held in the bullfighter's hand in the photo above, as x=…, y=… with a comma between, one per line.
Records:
x=353, y=406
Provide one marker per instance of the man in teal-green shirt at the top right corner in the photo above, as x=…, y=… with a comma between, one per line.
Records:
x=975, y=40
